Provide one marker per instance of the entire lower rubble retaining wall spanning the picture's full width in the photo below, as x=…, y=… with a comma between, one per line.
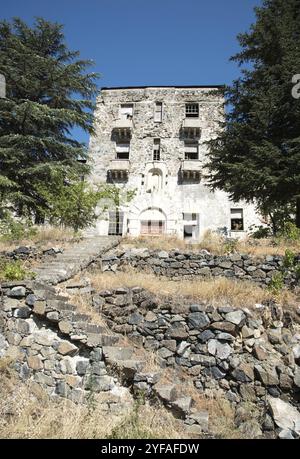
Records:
x=251, y=358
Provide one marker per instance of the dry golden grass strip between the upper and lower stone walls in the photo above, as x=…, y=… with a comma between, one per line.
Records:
x=216, y=291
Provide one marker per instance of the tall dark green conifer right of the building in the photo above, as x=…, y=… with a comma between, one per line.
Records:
x=256, y=157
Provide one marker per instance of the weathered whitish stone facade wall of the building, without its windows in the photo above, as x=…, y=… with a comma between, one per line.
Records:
x=174, y=196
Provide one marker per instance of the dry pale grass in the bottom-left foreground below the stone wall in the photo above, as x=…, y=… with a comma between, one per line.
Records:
x=26, y=411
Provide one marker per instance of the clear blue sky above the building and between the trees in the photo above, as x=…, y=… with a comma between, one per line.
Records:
x=148, y=42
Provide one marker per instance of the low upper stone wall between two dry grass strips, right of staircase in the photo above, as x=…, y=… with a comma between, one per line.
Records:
x=177, y=264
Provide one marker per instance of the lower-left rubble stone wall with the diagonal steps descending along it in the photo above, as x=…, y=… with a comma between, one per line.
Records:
x=65, y=352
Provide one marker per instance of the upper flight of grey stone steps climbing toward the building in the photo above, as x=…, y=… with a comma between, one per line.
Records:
x=74, y=259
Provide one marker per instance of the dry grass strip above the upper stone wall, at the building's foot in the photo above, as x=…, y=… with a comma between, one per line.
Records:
x=216, y=244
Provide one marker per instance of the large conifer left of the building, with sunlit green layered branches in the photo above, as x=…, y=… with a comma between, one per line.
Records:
x=48, y=92
